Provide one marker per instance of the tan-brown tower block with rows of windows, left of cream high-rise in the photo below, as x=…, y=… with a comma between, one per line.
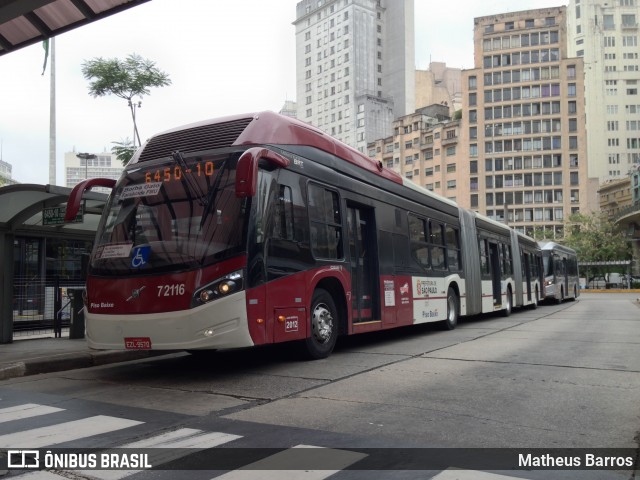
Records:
x=523, y=109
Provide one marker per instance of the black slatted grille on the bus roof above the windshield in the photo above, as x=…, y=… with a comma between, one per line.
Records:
x=204, y=137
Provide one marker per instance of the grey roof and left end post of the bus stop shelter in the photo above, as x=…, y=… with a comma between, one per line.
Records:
x=30, y=210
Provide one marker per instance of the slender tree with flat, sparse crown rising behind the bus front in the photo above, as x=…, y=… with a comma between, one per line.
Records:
x=125, y=79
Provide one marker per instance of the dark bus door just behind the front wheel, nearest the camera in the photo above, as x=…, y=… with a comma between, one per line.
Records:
x=362, y=253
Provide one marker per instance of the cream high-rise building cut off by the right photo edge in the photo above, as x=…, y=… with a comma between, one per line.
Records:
x=605, y=34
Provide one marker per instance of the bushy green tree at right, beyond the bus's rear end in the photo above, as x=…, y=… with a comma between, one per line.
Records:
x=596, y=239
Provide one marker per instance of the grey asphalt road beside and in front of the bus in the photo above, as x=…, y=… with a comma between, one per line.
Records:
x=560, y=376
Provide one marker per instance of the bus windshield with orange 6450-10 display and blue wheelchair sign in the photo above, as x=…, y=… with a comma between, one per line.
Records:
x=159, y=220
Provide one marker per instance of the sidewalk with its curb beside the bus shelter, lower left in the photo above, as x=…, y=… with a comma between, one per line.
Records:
x=44, y=354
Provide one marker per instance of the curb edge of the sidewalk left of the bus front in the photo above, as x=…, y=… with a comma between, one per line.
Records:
x=71, y=361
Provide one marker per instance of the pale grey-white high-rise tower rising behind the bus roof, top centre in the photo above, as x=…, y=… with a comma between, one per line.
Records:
x=355, y=66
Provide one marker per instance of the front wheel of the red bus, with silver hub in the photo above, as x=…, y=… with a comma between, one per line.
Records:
x=323, y=325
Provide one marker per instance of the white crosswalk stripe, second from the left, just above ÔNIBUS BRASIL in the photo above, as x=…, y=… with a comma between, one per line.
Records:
x=65, y=432
